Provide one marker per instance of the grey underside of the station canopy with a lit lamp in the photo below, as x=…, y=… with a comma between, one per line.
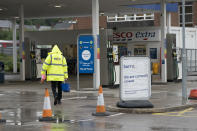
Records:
x=69, y=8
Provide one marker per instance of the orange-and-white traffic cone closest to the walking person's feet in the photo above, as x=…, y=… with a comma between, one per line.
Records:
x=47, y=112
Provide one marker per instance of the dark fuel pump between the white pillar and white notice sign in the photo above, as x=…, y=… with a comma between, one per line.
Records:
x=110, y=54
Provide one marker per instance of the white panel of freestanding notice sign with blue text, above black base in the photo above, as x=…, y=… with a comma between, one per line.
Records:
x=135, y=78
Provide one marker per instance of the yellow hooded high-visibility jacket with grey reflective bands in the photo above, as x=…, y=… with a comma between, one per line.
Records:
x=55, y=65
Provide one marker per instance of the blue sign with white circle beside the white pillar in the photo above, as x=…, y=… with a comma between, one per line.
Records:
x=86, y=53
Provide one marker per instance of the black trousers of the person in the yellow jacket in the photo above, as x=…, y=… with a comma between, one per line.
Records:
x=54, y=85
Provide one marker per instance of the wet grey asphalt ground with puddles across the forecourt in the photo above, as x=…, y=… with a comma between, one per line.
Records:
x=21, y=105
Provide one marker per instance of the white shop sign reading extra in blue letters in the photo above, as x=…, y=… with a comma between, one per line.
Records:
x=137, y=36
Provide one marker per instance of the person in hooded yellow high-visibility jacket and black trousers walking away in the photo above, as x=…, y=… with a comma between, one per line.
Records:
x=57, y=71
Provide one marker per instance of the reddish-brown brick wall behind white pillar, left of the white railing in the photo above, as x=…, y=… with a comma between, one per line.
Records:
x=86, y=22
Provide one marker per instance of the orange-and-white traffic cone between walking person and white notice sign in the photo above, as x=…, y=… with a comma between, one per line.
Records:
x=100, y=108
